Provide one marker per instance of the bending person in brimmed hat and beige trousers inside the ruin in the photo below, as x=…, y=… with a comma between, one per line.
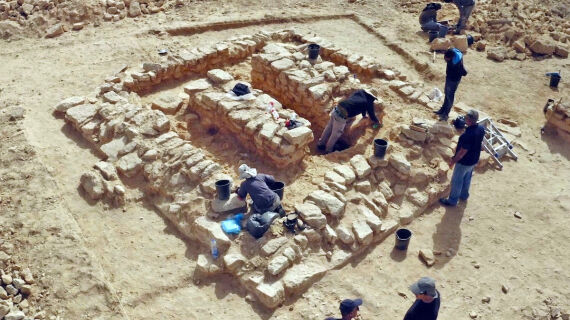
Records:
x=342, y=116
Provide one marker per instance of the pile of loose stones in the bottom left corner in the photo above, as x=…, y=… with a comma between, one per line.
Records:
x=16, y=287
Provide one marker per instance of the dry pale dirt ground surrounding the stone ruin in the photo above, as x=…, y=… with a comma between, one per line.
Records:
x=94, y=262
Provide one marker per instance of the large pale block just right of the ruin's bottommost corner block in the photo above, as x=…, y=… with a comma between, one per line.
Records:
x=300, y=276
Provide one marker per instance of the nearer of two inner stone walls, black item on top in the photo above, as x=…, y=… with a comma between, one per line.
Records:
x=248, y=120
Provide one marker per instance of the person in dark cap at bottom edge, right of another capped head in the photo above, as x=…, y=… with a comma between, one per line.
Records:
x=426, y=306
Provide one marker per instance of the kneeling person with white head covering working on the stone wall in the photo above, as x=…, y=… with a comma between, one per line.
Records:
x=256, y=185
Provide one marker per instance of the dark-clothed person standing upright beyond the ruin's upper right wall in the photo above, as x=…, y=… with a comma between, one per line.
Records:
x=453, y=74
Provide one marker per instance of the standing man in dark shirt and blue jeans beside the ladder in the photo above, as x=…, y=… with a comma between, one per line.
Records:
x=466, y=156
